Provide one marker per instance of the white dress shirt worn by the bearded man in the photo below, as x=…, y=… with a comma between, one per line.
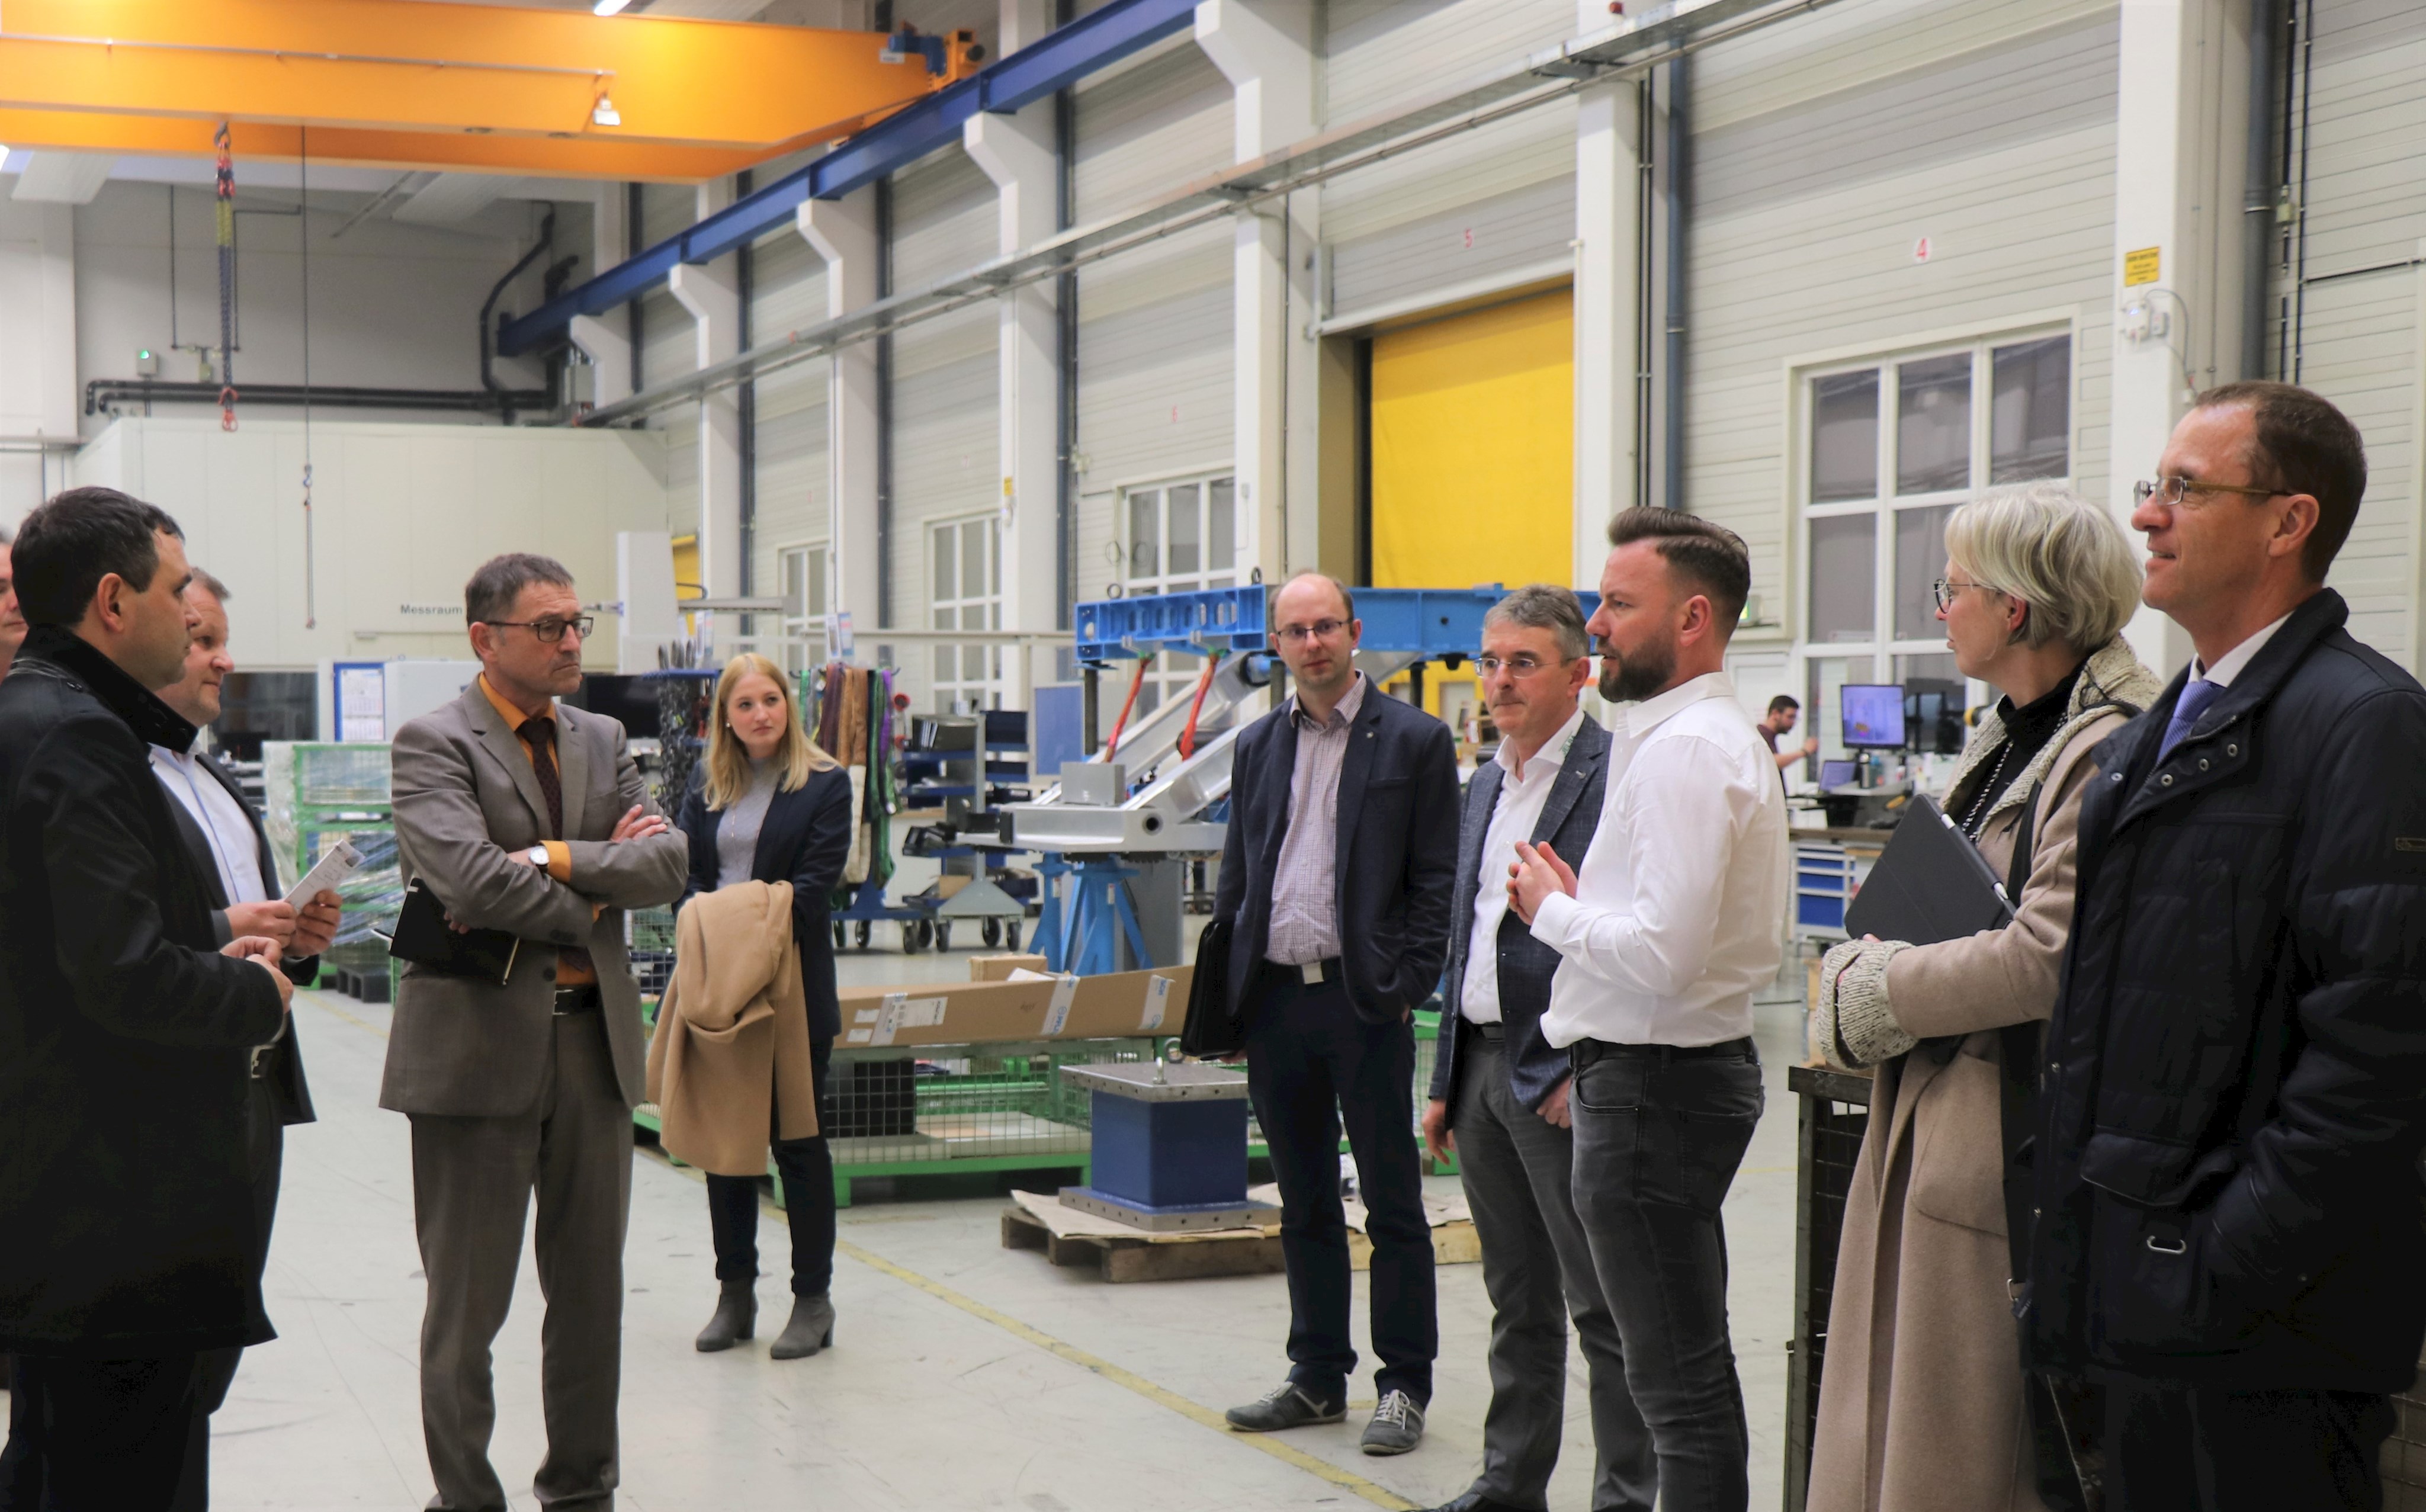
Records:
x=1678, y=902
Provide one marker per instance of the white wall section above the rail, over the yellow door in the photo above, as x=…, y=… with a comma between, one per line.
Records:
x=1386, y=55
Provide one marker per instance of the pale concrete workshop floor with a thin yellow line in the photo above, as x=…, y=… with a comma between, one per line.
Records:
x=962, y=1375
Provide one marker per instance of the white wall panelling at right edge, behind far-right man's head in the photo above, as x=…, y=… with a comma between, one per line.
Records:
x=2359, y=339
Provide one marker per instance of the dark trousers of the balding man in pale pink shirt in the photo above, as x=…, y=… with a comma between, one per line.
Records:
x=1314, y=1067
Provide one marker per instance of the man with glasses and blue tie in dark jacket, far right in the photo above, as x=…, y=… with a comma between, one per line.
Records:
x=2228, y=1205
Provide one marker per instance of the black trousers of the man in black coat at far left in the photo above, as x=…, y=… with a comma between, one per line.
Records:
x=98, y=1433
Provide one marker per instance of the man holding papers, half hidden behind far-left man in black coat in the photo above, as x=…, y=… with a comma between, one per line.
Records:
x=232, y=856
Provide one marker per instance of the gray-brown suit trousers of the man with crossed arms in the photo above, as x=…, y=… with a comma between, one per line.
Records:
x=472, y=1193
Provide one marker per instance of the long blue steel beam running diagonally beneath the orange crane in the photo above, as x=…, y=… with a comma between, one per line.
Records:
x=935, y=123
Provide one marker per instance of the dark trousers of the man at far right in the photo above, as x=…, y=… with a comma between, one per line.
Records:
x=2177, y=1448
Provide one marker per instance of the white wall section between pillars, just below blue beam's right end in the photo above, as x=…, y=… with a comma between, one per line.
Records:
x=1151, y=127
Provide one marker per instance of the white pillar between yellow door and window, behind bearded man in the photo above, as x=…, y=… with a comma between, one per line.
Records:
x=1607, y=307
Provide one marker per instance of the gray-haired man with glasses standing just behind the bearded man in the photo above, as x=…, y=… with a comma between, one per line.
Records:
x=1500, y=1091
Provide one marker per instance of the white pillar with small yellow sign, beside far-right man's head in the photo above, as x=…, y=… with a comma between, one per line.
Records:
x=2177, y=237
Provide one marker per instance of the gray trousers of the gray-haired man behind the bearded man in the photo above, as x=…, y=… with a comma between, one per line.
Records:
x=1537, y=1268
